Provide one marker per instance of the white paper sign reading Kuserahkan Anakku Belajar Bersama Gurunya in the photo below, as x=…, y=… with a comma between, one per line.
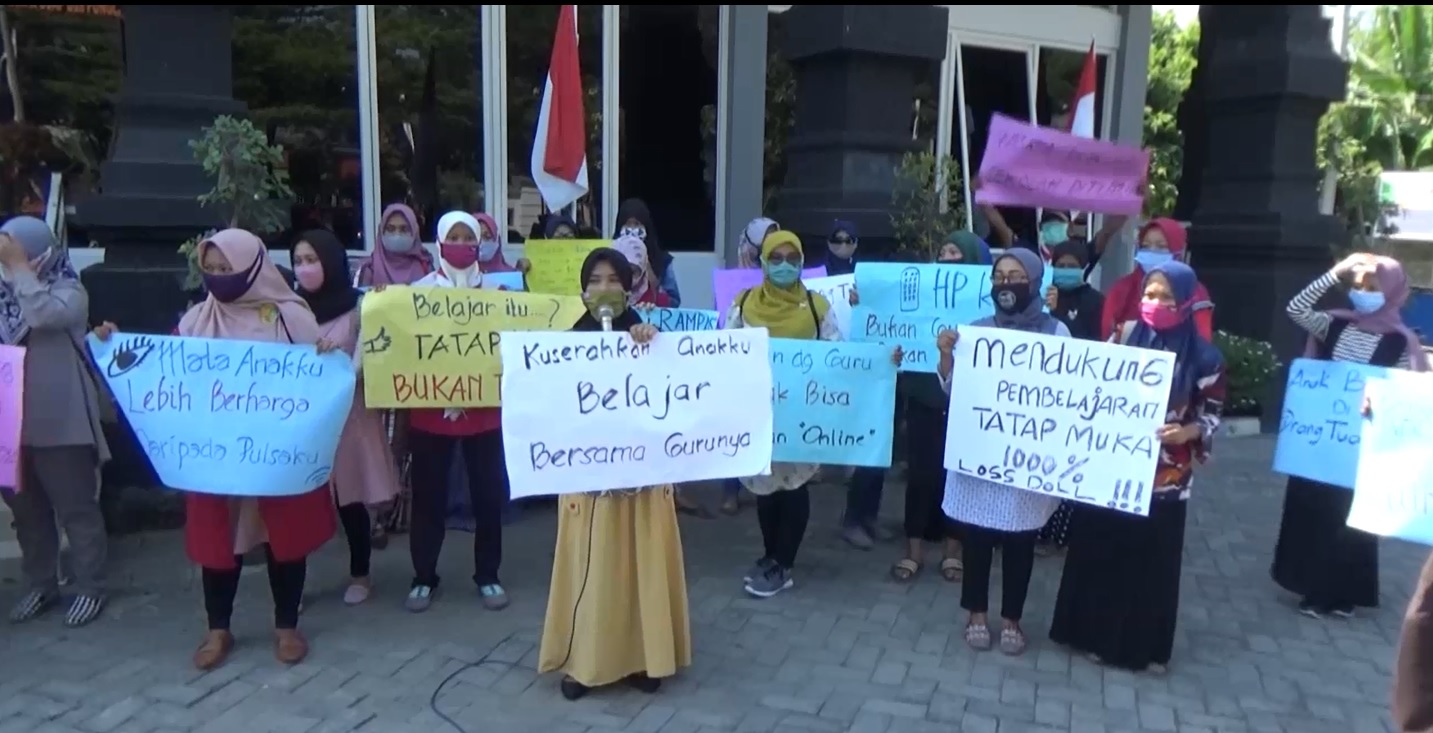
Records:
x=595, y=412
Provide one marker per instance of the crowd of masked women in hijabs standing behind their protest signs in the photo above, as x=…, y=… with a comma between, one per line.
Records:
x=617, y=609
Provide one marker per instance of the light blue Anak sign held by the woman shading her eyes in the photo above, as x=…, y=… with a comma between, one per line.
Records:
x=1319, y=432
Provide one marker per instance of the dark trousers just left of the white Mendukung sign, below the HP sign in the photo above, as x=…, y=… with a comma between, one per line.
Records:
x=926, y=475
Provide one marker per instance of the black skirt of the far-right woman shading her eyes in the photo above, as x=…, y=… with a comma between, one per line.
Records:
x=1319, y=556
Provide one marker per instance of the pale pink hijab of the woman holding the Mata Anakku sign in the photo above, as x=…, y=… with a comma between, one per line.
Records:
x=270, y=310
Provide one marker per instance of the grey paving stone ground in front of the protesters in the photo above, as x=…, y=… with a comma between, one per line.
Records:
x=846, y=652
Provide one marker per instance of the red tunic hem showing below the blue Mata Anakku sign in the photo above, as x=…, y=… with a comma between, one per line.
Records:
x=296, y=526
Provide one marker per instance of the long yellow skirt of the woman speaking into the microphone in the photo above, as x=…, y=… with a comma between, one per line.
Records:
x=623, y=611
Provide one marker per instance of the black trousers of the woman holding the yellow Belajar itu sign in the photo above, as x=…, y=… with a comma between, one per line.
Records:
x=488, y=487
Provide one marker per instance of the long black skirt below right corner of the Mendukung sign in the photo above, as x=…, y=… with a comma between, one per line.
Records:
x=1120, y=595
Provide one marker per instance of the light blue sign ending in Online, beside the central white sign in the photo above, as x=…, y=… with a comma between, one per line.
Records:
x=832, y=402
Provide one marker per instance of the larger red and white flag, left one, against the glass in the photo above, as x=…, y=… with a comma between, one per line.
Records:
x=560, y=145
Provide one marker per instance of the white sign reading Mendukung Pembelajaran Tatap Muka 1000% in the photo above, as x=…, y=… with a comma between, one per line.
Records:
x=1070, y=419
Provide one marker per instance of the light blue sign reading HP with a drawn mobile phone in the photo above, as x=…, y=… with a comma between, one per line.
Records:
x=909, y=304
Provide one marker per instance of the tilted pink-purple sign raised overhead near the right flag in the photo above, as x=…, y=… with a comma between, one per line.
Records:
x=1027, y=165
